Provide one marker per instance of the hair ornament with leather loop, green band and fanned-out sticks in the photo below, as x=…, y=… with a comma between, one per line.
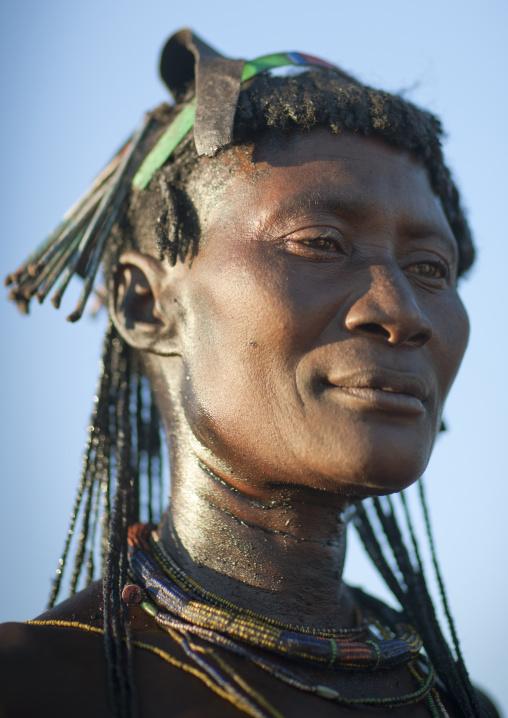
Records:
x=206, y=85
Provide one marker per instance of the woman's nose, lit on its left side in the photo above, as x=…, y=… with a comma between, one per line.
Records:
x=388, y=309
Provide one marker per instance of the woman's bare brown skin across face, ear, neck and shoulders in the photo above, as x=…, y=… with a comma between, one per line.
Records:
x=301, y=360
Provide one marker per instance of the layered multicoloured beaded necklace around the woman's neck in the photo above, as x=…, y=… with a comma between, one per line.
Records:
x=200, y=621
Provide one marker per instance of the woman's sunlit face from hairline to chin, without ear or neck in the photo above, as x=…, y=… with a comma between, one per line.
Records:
x=322, y=325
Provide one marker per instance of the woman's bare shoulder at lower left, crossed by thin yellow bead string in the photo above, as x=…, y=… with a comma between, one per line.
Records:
x=55, y=665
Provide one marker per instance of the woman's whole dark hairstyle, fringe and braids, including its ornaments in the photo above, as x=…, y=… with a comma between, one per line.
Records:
x=224, y=102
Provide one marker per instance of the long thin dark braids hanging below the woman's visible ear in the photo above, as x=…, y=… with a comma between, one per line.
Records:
x=124, y=448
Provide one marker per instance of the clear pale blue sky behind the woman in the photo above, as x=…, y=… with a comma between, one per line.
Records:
x=76, y=78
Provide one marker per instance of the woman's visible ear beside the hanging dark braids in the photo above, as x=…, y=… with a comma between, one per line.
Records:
x=142, y=304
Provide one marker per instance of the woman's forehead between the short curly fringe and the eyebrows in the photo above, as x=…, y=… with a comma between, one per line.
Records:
x=346, y=173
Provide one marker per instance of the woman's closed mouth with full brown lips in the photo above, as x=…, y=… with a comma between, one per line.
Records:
x=383, y=390
